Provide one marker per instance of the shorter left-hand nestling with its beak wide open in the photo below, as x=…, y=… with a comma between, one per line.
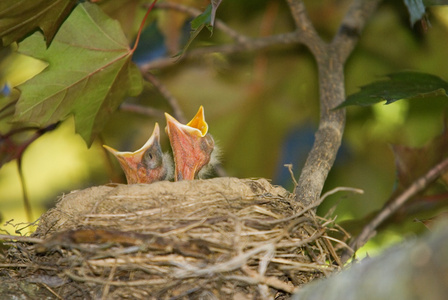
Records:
x=148, y=164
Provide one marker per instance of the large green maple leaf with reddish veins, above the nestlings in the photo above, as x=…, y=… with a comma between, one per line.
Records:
x=89, y=73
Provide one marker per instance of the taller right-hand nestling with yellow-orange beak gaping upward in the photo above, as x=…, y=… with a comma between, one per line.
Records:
x=192, y=145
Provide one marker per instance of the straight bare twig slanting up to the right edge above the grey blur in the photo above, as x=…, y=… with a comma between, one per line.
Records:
x=416, y=187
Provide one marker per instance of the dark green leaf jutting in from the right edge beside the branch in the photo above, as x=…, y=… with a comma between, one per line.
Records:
x=402, y=85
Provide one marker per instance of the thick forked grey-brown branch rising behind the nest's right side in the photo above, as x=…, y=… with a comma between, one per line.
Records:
x=330, y=60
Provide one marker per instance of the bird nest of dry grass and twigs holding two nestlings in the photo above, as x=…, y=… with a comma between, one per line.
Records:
x=222, y=238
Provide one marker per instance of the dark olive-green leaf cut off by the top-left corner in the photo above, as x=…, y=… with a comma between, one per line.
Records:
x=20, y=17
